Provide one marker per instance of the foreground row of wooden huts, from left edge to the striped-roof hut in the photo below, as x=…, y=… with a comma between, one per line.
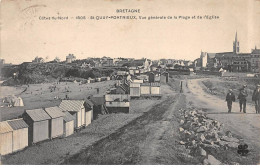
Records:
x=37, y=125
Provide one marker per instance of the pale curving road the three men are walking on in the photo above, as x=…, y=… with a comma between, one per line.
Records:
x=245, y=125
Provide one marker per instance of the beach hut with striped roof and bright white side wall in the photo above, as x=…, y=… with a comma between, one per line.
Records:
x=75, y=108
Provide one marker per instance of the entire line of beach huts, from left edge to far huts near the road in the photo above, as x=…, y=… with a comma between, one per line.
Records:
x=38, y=125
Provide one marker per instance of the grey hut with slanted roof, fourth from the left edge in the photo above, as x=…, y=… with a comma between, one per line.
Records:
x=56, y=122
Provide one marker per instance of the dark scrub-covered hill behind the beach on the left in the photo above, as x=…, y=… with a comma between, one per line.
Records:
x=32, y=73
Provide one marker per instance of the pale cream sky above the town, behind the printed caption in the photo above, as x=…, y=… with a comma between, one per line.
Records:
x=24, y=36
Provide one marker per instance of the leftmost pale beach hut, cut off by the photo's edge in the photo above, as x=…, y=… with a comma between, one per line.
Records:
x=6, y=138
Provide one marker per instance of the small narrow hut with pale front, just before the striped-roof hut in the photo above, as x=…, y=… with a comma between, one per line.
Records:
x=68, y=124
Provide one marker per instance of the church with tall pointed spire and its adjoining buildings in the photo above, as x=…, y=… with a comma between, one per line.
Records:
x=234, y=61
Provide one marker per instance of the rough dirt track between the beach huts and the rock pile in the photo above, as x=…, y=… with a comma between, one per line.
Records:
x=153, y=138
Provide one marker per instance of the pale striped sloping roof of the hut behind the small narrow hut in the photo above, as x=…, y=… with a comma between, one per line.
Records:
x=71, y=105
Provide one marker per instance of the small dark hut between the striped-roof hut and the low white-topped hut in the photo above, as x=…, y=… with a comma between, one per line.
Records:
x=98, y=105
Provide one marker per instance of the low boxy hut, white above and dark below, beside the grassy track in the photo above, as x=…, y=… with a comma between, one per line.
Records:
x=117, y=103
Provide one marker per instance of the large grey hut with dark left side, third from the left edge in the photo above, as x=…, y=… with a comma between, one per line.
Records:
x=38, y=122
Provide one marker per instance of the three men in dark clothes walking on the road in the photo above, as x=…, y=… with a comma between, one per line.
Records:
x=242, y=96
